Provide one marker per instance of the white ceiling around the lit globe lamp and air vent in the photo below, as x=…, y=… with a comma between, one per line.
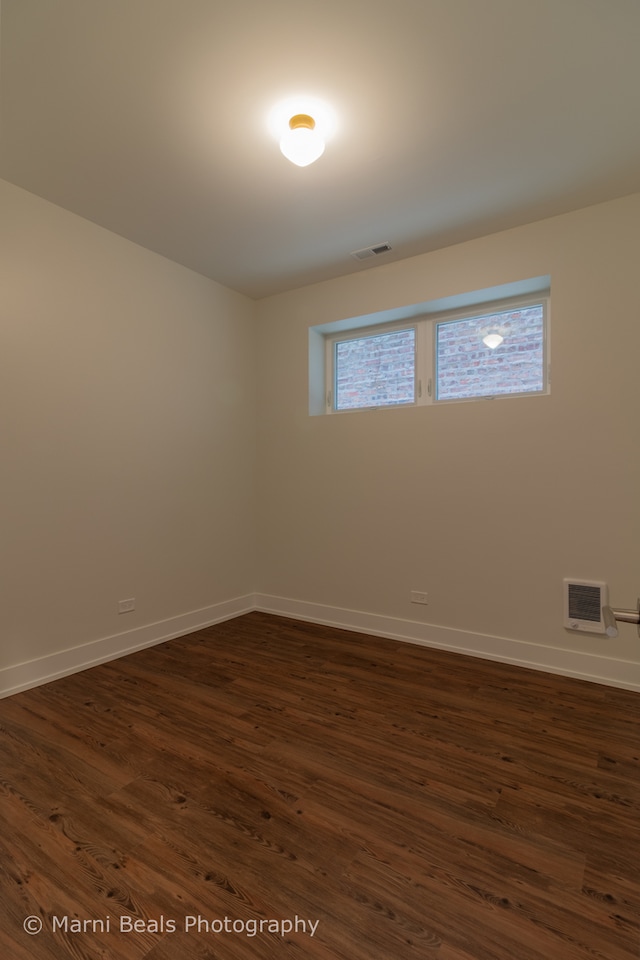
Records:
x=456, y=118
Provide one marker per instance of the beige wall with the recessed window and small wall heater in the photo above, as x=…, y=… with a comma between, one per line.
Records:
x=485, y=505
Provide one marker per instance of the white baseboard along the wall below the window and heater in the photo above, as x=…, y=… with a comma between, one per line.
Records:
x=569, y=663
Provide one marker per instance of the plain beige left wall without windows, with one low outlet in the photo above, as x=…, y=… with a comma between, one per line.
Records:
x=128, y=435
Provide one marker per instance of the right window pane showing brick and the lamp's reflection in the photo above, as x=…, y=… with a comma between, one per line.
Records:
x=495, y=354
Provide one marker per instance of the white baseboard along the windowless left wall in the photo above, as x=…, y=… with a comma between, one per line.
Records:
x=32, y=673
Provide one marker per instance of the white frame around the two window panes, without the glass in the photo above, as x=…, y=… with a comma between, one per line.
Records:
x=425, y=327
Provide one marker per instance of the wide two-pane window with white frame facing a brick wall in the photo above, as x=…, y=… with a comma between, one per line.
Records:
x=497, y=350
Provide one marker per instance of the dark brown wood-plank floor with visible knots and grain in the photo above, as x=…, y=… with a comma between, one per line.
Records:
x=392, y=801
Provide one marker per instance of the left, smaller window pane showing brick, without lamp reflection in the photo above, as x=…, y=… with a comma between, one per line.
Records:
x=375, y=371
